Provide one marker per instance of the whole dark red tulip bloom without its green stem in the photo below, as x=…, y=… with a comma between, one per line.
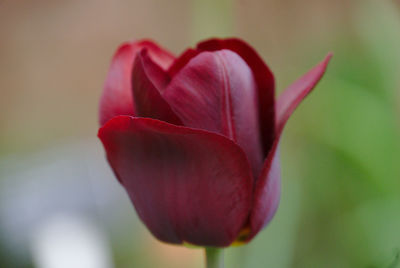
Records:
x=194, y=139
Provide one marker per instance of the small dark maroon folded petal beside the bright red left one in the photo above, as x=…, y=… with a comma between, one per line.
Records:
x=148, y=81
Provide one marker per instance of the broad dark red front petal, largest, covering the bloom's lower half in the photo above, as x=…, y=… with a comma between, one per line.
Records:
x=186, y=185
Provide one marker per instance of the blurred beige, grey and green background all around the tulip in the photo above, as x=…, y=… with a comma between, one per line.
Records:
x=60, y=205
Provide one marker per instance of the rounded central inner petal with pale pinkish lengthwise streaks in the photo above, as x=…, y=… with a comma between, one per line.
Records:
x=216, y=91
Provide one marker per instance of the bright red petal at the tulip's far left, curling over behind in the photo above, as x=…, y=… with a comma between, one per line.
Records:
x=117, y=94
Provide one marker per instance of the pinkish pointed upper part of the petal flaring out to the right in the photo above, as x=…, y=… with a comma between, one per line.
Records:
x=295, y=93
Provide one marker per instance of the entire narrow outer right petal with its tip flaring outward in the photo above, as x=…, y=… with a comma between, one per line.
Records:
x=267, y=189
